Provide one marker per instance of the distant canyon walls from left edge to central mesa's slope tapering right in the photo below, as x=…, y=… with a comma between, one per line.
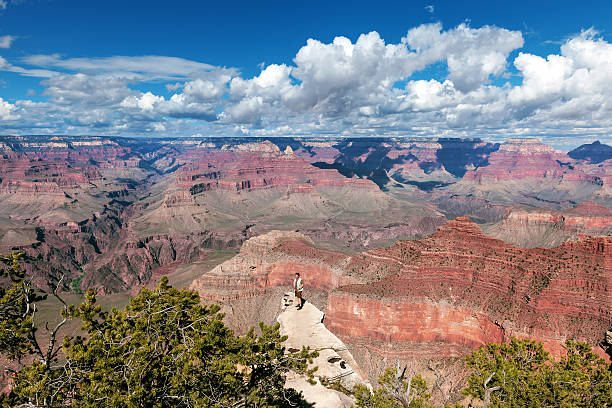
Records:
x=108, y=213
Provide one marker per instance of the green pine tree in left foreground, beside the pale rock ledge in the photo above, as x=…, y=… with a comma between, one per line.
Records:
x=164, y=349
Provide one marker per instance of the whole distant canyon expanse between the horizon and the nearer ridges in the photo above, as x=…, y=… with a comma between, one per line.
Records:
x=113, y=213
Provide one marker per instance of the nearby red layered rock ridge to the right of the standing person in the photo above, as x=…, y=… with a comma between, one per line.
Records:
x=549, y=294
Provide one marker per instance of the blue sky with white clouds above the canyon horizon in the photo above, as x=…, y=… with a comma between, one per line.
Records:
x=484, y=69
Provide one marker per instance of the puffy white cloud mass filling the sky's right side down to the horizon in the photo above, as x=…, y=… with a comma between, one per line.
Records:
x=352, y=86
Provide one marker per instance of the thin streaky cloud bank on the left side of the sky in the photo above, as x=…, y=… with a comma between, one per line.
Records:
x=101, y=93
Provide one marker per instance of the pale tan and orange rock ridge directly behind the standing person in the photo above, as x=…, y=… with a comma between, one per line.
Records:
x=250, y=285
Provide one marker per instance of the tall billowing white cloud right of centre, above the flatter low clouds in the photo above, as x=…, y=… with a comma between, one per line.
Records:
x=342, y=76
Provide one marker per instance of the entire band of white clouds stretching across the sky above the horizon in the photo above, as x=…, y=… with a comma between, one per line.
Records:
x=344, y=87
